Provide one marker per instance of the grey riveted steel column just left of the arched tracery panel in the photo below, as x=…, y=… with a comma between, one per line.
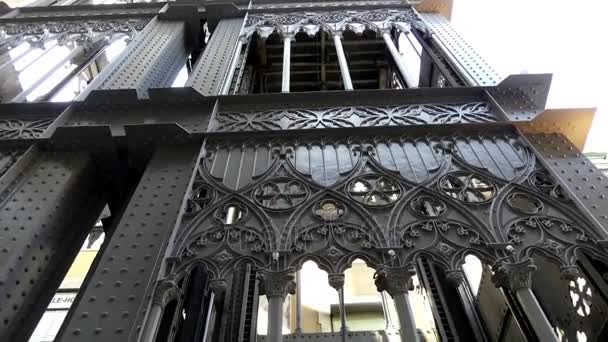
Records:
x=113, y=302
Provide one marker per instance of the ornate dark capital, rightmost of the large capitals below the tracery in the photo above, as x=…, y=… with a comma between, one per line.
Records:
x=514, y=276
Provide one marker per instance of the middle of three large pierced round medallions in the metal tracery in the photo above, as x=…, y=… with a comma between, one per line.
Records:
x=374, y=190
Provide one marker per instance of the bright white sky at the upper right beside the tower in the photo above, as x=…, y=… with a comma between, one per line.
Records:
x=566, y=38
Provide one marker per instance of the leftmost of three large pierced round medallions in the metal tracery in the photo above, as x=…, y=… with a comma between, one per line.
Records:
x=281, y=193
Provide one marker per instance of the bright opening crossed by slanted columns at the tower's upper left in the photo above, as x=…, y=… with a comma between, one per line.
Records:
x=54, y=66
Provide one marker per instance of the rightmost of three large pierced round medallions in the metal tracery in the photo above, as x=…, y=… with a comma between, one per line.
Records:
x=467, y=187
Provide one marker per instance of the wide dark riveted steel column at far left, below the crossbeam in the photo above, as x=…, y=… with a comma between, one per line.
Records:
x=48, y=201
